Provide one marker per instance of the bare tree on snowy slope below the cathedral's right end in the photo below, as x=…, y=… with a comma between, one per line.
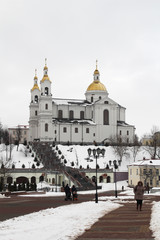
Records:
x=120, y=146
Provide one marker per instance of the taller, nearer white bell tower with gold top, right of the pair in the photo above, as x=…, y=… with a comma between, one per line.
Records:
x=45, y=107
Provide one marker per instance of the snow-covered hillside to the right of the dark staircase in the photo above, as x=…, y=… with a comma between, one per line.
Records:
x=79, y=155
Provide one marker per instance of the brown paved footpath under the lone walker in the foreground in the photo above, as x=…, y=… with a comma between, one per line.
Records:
x=124, y=223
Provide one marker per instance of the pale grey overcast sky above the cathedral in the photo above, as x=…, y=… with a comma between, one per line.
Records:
x=123, y=35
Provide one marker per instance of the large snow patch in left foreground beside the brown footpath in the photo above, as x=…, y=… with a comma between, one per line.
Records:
x=62, y=223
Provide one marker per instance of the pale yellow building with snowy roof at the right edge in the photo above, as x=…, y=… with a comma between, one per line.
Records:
x=147, y=171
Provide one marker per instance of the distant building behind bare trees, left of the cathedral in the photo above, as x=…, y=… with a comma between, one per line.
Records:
x=24, y=129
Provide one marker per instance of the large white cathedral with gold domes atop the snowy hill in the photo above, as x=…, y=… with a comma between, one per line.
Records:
x=96, y=118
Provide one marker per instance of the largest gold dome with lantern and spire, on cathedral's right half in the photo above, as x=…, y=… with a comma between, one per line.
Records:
x=96, y=85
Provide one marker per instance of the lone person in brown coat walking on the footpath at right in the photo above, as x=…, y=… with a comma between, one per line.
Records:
x=139, y=192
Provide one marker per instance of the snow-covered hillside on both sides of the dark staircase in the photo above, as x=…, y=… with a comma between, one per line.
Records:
x=74, y=153
